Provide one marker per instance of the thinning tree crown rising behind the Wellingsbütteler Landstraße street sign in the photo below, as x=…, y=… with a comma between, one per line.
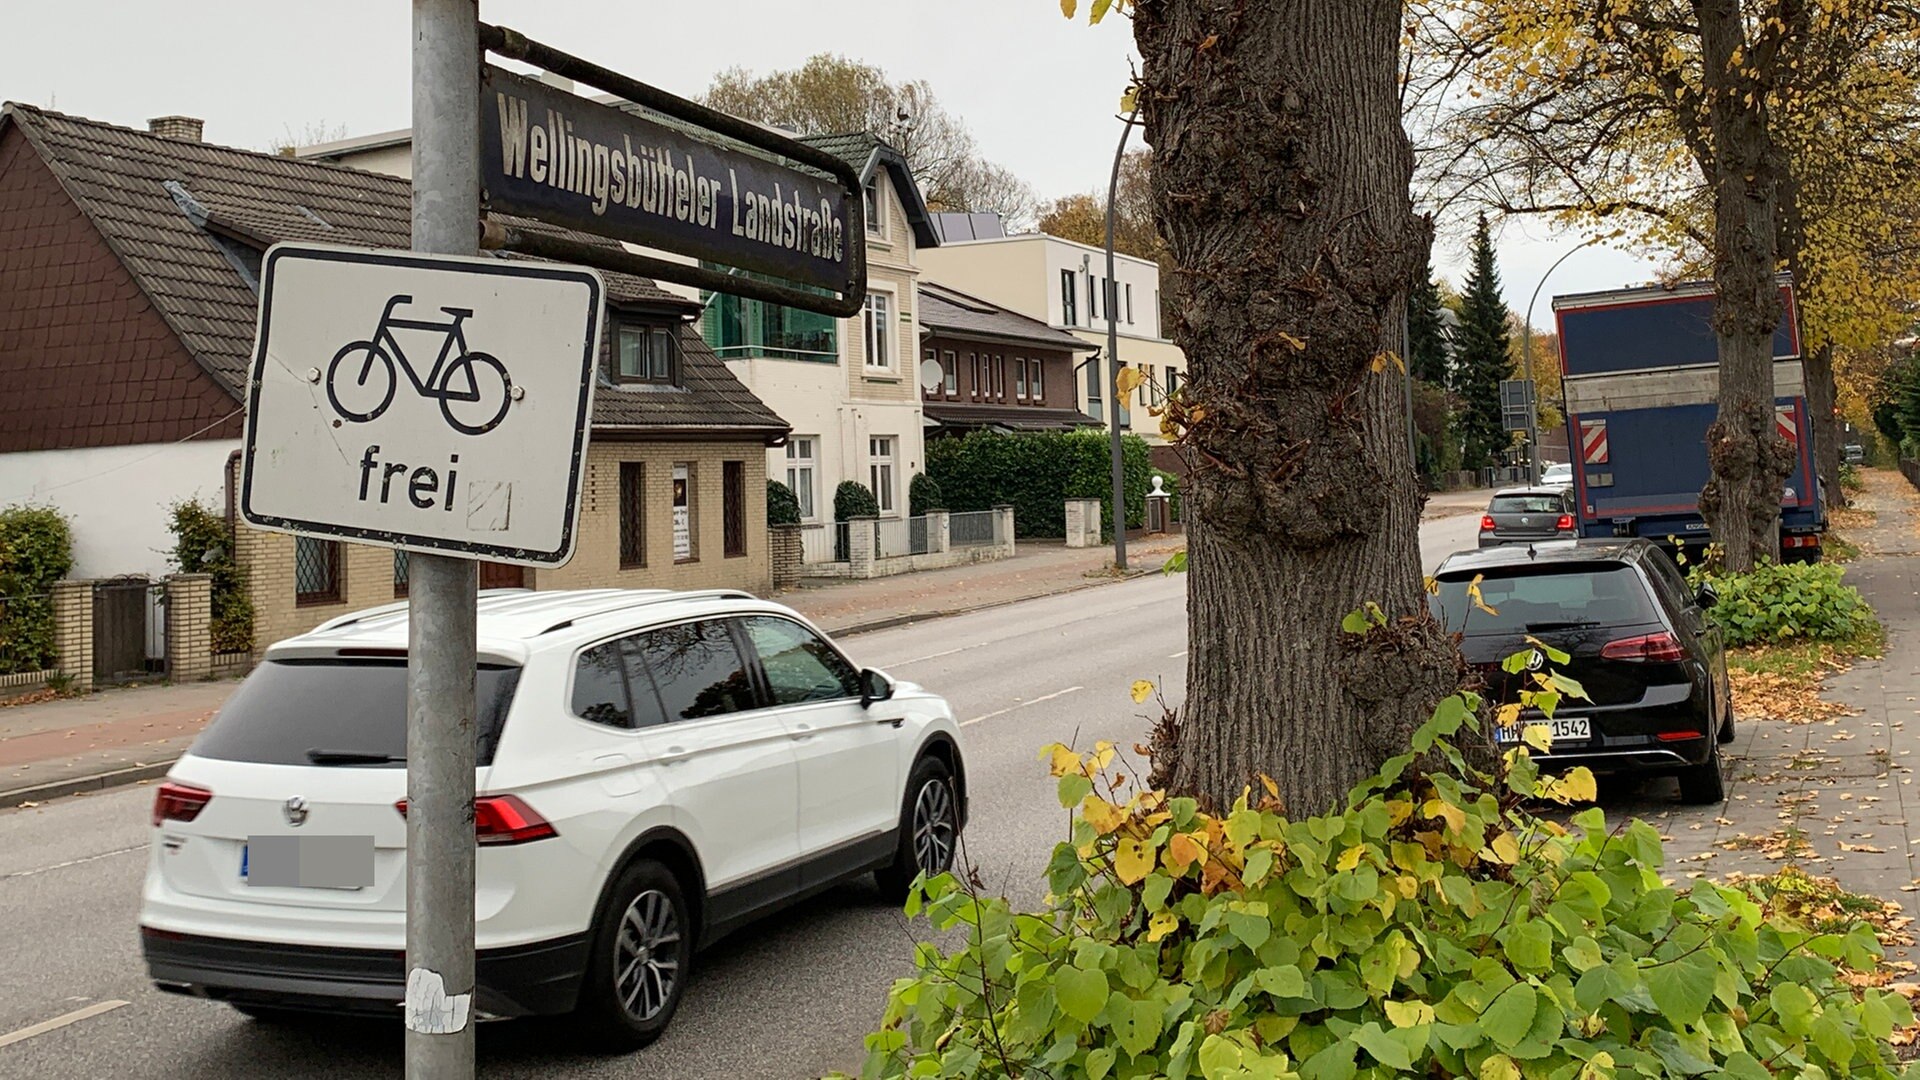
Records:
x=836, y=95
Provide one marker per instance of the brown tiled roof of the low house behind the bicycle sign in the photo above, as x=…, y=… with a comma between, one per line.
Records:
x=189, y=220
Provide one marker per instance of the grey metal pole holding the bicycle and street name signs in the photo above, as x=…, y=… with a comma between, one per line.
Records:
x=443, y=593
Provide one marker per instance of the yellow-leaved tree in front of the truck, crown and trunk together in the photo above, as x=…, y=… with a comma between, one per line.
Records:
x=1710, y=130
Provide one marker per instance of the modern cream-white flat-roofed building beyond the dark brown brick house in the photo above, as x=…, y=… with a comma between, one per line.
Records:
x=1065, y=285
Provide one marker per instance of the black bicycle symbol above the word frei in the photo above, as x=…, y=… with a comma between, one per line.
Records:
x=471, y=403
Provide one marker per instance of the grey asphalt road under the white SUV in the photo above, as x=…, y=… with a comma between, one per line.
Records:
x=788, y=998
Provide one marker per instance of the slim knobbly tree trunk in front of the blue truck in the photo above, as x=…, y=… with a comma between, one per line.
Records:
x=1750, y=462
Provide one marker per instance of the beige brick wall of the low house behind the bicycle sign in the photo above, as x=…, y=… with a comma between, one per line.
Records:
x=368, y=574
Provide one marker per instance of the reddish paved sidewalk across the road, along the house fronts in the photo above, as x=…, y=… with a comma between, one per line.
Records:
x=132, y=735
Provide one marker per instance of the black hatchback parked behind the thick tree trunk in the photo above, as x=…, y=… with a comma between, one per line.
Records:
x=1641, y=645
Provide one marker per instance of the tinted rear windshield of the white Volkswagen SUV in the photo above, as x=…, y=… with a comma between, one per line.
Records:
x=341, y=712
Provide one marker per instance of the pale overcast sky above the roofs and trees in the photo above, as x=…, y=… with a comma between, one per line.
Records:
x=1038, y=91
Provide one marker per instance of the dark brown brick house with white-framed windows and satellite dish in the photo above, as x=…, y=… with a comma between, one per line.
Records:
x=999, y=370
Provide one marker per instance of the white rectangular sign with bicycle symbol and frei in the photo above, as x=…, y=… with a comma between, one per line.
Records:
x=425, y=403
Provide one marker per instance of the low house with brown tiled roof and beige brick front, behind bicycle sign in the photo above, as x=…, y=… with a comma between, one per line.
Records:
x=128, y=299
